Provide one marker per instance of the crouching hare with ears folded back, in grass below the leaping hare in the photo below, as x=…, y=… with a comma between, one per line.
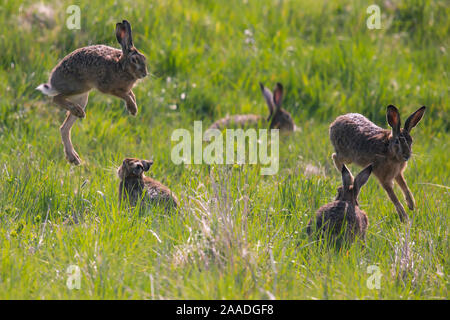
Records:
x=134, y=185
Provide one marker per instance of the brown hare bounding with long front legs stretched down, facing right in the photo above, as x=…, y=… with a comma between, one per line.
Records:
x=356, y=139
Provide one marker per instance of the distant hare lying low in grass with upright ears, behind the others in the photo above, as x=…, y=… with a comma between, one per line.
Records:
x=278, y=117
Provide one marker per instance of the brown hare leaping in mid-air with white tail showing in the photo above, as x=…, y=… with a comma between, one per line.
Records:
x=107, y=69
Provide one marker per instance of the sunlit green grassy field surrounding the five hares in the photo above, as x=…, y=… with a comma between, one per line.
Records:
x=237, y=235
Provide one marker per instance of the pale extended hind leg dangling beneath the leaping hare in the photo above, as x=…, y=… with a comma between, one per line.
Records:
x=71, y=155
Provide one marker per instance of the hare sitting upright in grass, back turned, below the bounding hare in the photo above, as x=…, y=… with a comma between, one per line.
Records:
x=341, y=221
